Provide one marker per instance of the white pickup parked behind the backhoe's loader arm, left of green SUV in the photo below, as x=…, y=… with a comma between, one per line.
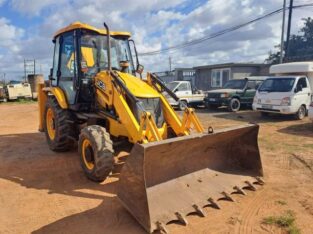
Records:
x=187, y=96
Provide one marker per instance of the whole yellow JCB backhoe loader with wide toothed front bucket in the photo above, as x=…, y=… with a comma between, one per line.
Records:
x=175, y=167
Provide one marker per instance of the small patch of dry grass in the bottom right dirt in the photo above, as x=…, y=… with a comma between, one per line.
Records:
x=286, y=221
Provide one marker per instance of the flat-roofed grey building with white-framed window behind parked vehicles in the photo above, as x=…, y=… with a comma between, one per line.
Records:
x=215, y=76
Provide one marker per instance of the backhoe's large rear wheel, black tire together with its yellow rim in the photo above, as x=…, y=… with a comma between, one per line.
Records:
x=57, y=128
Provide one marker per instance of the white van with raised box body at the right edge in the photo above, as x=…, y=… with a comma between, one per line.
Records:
x=288, y=92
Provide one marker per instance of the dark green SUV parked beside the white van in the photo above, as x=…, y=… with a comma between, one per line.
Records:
x=234, y=94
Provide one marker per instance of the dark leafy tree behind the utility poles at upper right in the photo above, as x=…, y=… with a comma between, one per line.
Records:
x=300, y=46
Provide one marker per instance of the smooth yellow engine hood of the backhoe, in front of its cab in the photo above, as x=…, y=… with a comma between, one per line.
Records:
x=138, y=87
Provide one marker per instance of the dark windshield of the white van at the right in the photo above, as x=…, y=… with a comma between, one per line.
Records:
x=277, y=85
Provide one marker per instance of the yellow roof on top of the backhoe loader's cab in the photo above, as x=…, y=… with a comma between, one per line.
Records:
x=79, y=25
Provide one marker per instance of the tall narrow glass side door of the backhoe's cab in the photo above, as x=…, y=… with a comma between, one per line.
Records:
x=67, y=72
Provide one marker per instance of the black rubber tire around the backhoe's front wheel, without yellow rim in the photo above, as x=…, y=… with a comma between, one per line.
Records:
x=102, y=146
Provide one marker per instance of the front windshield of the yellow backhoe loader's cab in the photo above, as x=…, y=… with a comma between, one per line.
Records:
x=94, y=53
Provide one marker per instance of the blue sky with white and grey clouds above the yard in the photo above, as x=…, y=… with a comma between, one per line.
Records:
x=27, y=27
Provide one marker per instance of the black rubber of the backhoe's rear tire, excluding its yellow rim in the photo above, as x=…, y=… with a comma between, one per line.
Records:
x=62, y=141
